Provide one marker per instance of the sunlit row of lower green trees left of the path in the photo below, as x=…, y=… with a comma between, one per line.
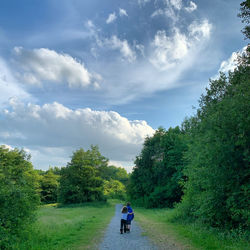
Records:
x=87, y=177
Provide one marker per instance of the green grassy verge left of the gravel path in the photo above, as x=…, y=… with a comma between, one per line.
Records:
x=69, y=227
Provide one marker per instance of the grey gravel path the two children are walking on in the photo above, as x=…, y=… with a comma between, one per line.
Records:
x=113, y=240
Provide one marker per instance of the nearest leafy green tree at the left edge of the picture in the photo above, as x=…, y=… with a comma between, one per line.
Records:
x=18, y=195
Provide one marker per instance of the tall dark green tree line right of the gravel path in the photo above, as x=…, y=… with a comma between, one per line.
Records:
x=202, y=166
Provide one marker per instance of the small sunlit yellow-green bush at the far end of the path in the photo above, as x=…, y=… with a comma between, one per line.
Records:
x=114, y=189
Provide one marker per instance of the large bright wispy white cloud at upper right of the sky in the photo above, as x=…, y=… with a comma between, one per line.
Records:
x=168, y=51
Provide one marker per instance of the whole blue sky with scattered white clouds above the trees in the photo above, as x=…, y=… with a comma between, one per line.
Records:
x=108, y=73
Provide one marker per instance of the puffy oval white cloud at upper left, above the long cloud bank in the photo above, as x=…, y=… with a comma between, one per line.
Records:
x=42, y=64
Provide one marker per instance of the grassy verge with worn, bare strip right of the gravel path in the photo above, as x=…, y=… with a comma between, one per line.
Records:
x=158, y=226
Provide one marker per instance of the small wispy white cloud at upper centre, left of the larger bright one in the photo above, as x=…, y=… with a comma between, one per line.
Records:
x=123, y=46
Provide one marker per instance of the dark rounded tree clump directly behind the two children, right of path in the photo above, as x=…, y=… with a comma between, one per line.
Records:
x=157, y=176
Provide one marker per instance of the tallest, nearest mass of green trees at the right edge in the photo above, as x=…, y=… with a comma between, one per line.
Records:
x=217, y=191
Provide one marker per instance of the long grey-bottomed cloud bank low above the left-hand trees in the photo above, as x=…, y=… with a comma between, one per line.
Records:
x=54, y=126
